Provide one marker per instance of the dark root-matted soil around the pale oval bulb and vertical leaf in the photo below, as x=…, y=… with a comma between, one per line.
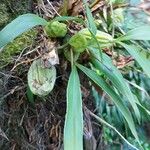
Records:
x=37, y=125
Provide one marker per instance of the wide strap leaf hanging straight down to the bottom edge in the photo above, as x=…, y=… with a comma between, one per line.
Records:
x=73, y=130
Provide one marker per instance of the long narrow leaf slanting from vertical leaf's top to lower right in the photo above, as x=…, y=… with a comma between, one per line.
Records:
x=115, y=97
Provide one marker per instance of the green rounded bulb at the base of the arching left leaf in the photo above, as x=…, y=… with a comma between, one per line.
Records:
x=56, y=29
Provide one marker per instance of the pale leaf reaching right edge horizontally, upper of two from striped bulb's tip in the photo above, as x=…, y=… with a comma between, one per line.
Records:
x=139, y=33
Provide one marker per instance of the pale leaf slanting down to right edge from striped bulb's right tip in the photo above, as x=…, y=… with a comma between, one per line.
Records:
x=140, y=56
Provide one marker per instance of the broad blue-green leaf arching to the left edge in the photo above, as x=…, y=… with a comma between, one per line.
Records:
x=18, y=26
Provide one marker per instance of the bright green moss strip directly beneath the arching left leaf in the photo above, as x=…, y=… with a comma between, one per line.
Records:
x=16, y=46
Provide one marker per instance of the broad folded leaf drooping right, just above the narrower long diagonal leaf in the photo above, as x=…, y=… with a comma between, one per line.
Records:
x=113, y=74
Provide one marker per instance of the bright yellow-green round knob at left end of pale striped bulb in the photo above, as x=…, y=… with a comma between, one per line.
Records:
x=78, y=42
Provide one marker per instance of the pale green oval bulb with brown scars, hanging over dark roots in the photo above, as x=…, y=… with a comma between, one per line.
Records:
x=41, y=80
